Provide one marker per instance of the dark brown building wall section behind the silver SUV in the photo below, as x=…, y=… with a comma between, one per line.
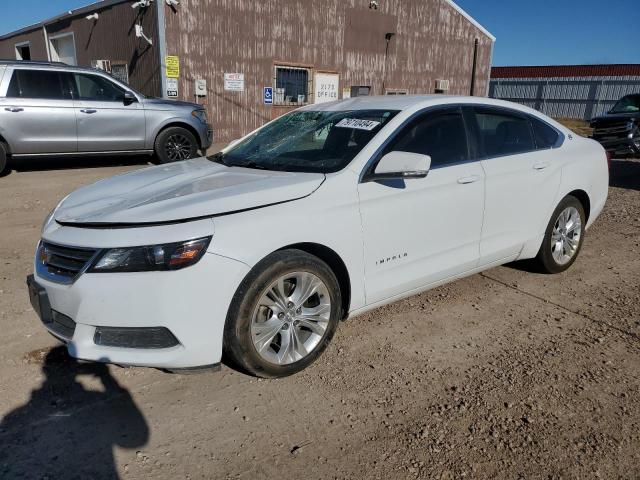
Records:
x=111, y=37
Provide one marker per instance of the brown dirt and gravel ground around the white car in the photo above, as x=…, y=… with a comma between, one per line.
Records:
x=507, y=374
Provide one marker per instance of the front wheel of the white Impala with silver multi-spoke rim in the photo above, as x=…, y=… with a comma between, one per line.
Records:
x=247, y=342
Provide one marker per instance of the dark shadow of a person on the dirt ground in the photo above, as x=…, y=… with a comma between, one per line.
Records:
x=68, y=431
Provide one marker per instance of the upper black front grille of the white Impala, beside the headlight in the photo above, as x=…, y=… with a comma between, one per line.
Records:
x=62, y=264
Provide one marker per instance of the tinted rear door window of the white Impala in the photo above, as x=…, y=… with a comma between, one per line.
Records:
x=503, y=134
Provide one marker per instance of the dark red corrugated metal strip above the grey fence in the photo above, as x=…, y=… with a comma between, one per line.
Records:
x=546, y=71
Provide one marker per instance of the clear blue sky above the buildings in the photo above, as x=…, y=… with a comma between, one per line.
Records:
x=529, y=32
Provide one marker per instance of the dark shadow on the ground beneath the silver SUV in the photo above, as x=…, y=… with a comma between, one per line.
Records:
x=71, y=163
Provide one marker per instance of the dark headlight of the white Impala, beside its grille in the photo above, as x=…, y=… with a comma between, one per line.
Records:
x=169, y=256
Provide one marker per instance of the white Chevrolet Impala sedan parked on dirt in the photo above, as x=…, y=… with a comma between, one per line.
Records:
x=258, y=252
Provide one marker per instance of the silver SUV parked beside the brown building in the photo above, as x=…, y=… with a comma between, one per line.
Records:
x=55, y=109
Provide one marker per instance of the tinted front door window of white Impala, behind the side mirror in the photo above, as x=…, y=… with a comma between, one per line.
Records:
x=442, y=136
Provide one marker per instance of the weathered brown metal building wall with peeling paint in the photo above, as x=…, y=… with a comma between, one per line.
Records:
x=432, y=41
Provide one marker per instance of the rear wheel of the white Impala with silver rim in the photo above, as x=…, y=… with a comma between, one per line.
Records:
x=562, y=236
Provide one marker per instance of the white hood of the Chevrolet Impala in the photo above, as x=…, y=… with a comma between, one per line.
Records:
x=180, y=192
